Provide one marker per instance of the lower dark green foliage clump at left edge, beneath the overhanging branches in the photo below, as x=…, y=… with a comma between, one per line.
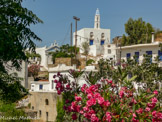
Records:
x=11, y=89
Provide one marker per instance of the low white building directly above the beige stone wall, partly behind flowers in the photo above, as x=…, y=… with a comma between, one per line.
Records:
x=46, y=86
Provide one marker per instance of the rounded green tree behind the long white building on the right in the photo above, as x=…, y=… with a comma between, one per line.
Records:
x=138, y=32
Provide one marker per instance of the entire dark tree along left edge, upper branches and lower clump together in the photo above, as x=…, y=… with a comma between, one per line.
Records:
x=15, y=37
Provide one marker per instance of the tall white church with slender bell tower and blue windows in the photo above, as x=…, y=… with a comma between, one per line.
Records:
x=96, y=37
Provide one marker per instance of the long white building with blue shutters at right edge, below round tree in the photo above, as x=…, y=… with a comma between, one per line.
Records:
x=139, y=50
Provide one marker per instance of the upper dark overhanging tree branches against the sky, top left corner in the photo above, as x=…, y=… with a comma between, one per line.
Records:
x=15, y=33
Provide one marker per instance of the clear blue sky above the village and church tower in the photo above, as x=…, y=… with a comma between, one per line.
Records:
x=58, y=14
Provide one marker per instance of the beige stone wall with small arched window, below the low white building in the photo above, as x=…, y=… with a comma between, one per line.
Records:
x=45, y=112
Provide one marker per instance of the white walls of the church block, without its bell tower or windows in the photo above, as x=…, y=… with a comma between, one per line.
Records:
x=84, y=35
